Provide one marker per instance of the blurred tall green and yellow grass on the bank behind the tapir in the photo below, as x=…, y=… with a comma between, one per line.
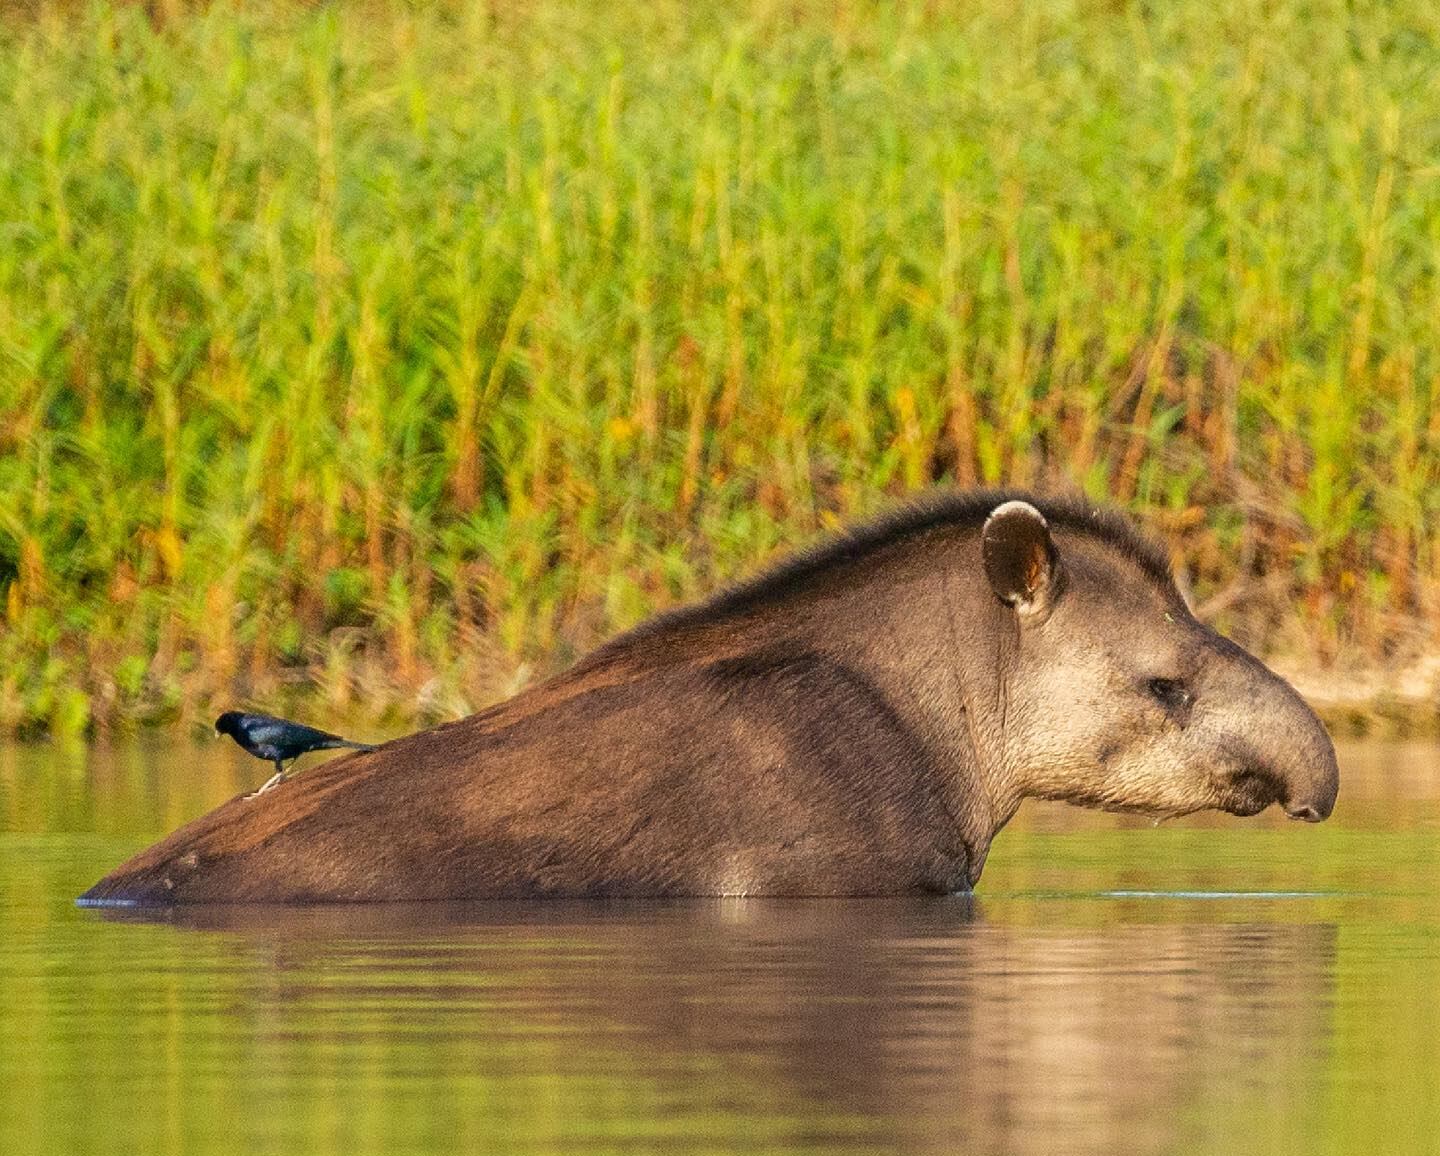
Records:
x=391, y=355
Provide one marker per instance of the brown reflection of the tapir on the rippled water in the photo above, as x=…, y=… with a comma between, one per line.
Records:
x=922, y=1023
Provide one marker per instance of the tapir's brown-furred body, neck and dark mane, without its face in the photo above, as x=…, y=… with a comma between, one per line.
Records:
x=800, y=733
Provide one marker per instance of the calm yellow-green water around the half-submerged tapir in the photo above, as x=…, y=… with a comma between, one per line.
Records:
x=1212, y=985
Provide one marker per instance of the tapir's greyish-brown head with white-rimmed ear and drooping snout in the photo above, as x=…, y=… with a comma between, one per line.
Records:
x=1114, y=696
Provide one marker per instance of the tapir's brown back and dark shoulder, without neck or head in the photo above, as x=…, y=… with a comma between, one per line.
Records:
x=721, y=778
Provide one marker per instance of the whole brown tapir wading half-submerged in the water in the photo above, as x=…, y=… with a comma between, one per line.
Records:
x=860, y=719
